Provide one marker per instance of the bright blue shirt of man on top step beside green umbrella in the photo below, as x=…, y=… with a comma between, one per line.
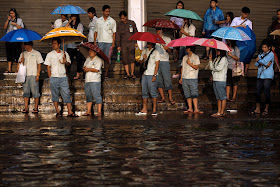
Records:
x=210, y=19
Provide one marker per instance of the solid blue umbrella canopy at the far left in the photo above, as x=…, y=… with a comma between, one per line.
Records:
x=21, y=35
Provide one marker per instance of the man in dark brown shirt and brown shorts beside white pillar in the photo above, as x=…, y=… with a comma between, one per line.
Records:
x=125, y=29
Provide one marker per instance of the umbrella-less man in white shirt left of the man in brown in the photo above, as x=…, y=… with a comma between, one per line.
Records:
x=105, y=34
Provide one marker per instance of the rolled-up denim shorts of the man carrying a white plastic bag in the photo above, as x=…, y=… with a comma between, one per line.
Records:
x=32, y=86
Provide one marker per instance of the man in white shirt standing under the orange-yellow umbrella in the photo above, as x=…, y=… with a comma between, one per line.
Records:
x=56, y=61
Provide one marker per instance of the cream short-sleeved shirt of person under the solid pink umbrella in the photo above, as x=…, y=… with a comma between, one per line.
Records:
x=187, y=71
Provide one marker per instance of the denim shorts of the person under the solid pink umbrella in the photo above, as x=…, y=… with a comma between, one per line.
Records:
x=190, y=87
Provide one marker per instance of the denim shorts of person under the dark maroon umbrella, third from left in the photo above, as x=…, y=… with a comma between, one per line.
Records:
x=93, y=91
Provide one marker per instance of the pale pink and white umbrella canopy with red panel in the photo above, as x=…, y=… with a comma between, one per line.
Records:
x=212, y=43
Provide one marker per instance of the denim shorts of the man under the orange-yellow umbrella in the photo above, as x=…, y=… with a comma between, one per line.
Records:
x=60, y=85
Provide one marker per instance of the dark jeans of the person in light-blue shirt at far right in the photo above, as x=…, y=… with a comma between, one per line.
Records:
x=266, y=84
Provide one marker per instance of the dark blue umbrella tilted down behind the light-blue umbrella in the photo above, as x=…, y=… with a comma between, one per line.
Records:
x=247, y=48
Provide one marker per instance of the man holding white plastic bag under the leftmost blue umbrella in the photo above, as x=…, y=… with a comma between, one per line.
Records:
x=32, y=59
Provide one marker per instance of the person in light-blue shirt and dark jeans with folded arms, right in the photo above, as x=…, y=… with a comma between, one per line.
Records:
x=264, y=62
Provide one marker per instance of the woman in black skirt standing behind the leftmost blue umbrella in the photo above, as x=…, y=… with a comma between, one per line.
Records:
x=12, y=48
